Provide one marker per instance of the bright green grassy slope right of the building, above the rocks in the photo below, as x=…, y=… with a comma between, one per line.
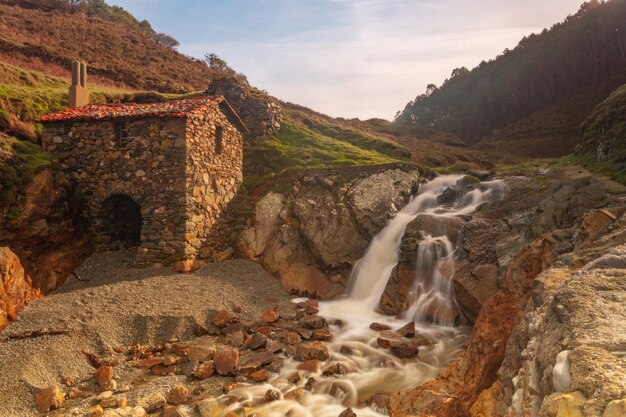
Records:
x=296, y=146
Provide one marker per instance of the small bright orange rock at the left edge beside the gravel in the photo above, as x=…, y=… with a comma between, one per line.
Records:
x=15, y=287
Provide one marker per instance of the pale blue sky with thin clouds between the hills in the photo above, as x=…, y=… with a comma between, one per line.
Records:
x=349, y=58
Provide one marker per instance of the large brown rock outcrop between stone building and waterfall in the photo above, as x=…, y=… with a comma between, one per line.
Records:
x=311, y=235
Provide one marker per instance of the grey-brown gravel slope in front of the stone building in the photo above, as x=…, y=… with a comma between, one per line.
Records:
x=117, y=307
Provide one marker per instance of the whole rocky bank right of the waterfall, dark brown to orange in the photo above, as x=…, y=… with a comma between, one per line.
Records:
x=581, y=232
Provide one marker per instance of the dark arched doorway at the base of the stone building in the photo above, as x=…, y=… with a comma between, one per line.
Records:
x=120, y=219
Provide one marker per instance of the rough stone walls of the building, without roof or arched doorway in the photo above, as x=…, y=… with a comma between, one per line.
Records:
x=169, y=167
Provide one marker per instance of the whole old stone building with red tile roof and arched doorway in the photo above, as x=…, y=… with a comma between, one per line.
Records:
x=156, y=175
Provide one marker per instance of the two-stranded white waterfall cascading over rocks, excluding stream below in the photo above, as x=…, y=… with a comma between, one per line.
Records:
x=433, y=292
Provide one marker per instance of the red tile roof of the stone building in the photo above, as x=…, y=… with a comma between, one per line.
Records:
x=176, y=108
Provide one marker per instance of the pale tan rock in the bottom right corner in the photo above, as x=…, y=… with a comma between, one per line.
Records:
x=567, y=355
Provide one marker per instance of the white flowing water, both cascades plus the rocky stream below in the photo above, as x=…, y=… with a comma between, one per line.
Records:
x=374, y=372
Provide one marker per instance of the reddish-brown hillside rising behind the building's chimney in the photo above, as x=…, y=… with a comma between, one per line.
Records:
x=46, y=35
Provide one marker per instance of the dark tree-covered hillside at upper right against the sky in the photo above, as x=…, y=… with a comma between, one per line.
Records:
x=585, y=54
